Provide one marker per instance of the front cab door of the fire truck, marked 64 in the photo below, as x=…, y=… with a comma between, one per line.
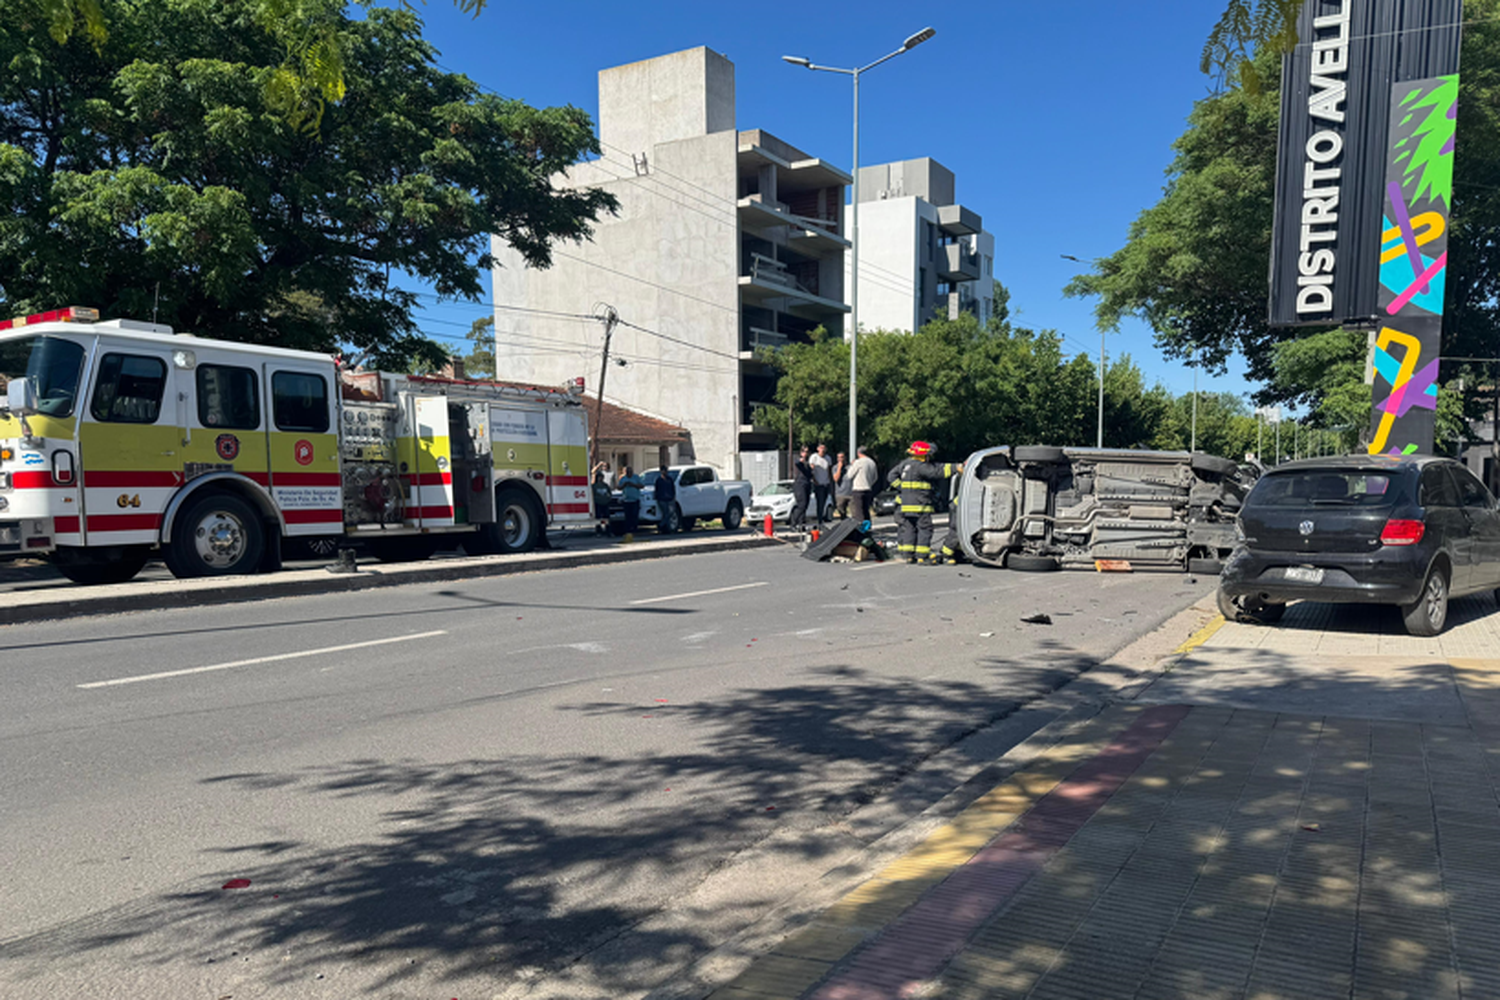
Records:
x=131, y=440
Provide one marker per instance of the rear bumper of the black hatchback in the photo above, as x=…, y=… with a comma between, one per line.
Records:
x=1385, y=576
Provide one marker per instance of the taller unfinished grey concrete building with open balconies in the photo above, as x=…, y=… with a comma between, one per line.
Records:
x=727, y=241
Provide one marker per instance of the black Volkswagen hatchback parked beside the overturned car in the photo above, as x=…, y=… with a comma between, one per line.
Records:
x=1369, y=530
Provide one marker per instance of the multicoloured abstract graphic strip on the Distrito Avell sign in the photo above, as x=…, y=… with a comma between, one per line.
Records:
x=1414, y=265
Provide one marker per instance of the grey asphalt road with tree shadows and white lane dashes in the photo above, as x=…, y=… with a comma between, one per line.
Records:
x=466, y=789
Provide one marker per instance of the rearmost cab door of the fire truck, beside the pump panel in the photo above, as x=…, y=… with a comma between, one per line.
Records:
x=304, y=446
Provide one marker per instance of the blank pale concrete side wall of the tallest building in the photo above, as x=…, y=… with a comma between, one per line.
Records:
x=667, y=263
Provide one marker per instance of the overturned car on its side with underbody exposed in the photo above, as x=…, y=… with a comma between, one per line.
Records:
x=1042, y=509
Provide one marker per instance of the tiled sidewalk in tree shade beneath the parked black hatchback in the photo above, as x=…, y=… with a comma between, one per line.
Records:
x=1202, y=854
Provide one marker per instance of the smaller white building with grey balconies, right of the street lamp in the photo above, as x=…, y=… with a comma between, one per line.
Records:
x=922, y=254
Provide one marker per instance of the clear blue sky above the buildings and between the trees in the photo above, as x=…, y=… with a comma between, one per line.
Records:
x=1057, y=118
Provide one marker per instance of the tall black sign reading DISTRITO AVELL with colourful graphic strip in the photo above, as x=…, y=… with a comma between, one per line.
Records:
x=1358, y=103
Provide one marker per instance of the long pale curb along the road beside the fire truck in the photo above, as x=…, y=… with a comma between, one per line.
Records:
x=173, y=594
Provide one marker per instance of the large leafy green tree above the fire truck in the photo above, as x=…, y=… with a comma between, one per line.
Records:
x=154, y=166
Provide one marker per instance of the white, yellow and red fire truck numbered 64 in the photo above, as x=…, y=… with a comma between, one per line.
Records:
x=122, y=440
